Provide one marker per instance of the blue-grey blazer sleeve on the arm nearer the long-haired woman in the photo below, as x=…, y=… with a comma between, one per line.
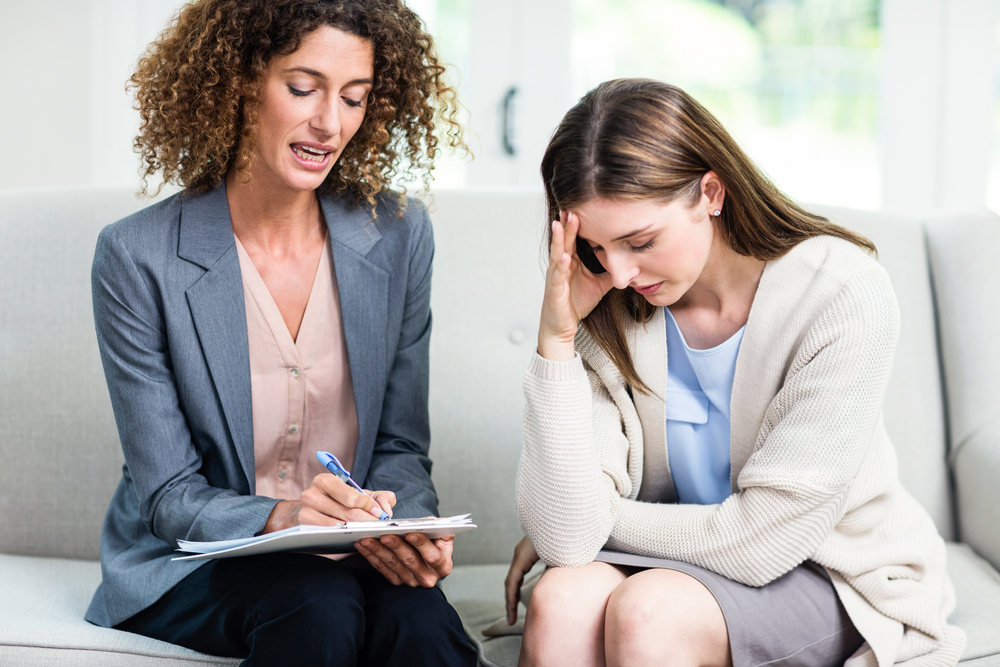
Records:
x=400, y=460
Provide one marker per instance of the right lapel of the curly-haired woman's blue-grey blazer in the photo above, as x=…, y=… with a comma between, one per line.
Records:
x=363, y=287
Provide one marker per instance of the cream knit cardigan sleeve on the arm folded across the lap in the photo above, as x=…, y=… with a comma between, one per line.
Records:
x=817, y=433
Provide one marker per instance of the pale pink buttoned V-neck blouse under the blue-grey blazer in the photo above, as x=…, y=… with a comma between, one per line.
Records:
x=302, y=396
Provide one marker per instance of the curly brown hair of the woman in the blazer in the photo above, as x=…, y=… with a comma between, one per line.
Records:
x=198, y=90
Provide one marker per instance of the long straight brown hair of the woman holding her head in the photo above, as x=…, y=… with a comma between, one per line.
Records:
x=633, y=139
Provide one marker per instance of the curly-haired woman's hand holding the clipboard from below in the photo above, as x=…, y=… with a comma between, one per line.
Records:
x=416, y=560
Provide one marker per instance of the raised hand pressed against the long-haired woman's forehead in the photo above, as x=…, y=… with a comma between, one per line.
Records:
x=571, y=291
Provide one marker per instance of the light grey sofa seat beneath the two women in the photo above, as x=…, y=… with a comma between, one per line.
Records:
x=53, y=593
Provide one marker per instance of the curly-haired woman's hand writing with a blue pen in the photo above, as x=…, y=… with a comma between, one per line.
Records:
x=329, y=501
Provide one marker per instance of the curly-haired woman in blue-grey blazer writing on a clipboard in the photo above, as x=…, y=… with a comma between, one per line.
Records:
x=276, y=307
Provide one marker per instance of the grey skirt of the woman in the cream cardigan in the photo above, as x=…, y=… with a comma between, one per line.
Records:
x=797, y=619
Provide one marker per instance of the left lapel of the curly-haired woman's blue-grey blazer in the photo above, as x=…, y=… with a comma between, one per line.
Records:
x=219, y=313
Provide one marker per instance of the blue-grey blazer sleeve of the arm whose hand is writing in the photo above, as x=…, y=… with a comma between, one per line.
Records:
x=164, y=464
